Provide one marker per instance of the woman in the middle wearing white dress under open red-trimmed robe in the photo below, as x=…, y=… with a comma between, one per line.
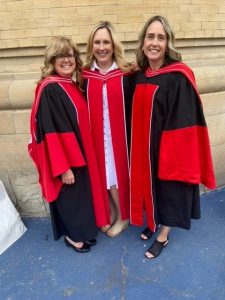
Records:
x=109, y=99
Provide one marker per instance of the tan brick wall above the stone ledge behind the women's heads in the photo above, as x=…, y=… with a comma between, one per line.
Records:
x=31, y=23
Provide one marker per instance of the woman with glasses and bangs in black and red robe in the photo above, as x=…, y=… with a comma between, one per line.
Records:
x=62, y=148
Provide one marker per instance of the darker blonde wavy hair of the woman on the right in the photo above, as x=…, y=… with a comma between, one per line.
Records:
x=171, y=52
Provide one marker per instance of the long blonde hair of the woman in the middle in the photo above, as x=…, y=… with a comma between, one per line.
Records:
x=118, y=52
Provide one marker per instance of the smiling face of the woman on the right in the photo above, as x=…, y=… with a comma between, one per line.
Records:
x=155, y=44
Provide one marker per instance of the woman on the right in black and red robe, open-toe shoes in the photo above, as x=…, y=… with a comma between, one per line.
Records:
x=170, y=151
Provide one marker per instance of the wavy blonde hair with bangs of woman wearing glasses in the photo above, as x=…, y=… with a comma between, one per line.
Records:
x=61, y=45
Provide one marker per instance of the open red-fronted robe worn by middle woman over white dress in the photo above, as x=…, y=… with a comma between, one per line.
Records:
x=119, y=104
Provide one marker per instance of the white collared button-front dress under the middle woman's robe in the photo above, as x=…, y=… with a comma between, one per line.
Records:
x=111, y=177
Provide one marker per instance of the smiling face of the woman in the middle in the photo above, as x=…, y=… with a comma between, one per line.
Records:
x=103, y=48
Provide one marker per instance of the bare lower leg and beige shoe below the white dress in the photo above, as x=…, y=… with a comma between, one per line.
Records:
x=119, y=224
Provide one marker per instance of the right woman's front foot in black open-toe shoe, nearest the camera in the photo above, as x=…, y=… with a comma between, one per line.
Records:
x=160, y=243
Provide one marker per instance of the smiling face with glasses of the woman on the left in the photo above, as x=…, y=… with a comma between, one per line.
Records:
x=65, y=65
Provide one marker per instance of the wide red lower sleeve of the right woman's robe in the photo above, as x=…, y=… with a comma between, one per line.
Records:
x=185, y=156
